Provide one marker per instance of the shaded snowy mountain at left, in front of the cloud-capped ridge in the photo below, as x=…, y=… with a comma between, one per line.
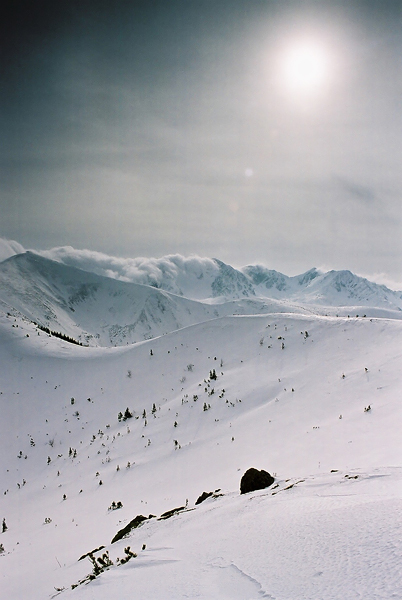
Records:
x=98, y=310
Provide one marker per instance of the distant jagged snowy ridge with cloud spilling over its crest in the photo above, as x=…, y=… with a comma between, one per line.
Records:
x=204, y=278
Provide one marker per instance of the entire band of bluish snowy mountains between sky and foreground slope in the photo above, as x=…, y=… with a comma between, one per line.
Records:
x=174, y=293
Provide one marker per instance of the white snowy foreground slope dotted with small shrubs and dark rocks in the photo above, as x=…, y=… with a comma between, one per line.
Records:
x=290, y=397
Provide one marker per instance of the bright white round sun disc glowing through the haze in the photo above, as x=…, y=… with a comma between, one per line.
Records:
x=305, y=67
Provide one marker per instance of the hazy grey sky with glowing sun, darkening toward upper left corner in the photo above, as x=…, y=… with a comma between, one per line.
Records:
x=149, y=128
